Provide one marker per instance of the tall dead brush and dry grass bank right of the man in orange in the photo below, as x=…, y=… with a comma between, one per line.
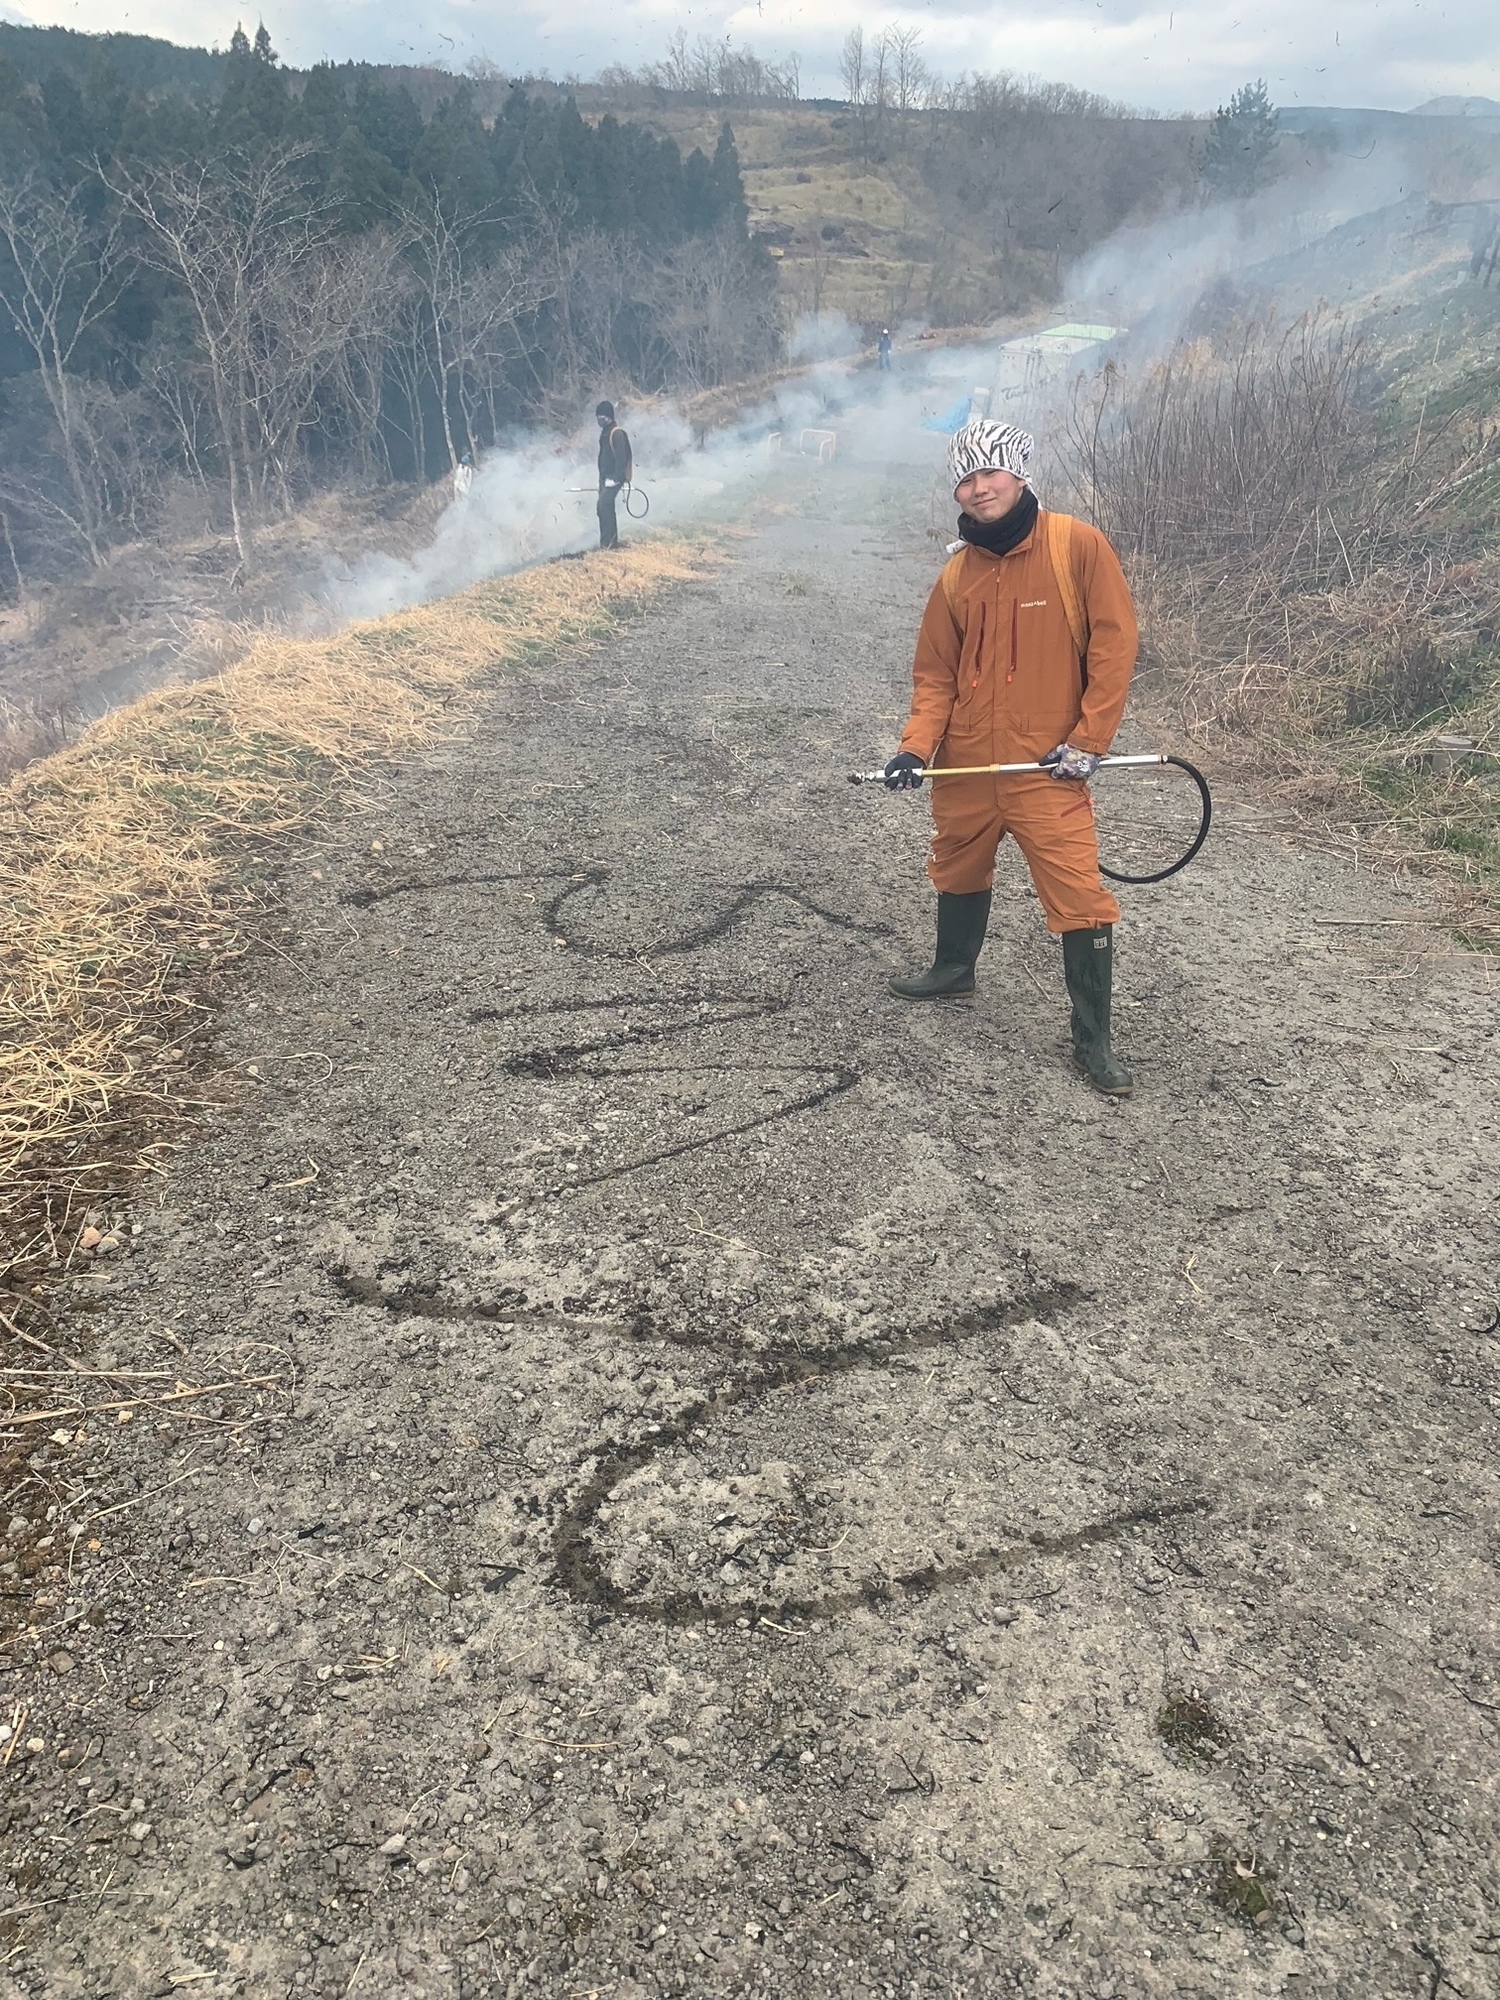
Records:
x=1315, y=605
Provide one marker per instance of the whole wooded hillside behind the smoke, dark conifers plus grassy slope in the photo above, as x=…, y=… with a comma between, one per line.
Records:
x=227, y=287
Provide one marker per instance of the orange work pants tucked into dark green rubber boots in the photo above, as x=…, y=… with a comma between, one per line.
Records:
x=1051, y=823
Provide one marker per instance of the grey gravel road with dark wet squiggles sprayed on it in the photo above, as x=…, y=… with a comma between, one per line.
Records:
x=759, y=1489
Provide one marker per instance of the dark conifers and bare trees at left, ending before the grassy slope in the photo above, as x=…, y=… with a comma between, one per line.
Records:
x=285, y=283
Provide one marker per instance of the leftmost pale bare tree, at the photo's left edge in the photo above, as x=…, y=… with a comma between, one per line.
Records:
x=63, y=275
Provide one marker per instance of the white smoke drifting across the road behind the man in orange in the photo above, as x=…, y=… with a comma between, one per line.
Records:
x=535, y=497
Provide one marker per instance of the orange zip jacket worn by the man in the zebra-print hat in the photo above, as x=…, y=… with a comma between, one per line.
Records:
x=999, y=677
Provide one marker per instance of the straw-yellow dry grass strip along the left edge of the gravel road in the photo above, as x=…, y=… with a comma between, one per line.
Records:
x=141, y=865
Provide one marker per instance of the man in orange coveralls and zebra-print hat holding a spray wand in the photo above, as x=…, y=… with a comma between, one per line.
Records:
x=1025, y=655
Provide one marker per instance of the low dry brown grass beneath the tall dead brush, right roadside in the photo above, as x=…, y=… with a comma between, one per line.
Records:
x=1335, y=703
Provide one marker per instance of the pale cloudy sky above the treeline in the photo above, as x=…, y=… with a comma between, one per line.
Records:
x=1153, y=53
